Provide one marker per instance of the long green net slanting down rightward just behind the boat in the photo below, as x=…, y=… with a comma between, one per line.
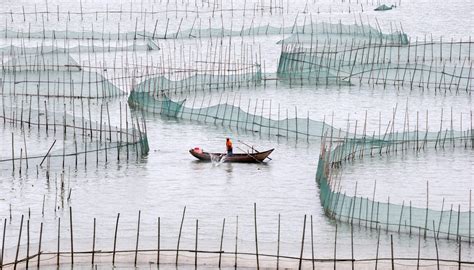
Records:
x=234, y=116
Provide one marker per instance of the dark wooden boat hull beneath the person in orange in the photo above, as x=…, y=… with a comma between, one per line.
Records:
x=256, y=157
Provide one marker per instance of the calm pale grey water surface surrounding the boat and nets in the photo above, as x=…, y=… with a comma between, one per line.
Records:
x=169, y=178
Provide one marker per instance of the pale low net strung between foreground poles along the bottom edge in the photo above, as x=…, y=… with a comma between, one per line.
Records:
x=217, y=258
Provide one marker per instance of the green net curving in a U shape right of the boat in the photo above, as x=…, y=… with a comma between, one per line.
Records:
x=451, y=223
